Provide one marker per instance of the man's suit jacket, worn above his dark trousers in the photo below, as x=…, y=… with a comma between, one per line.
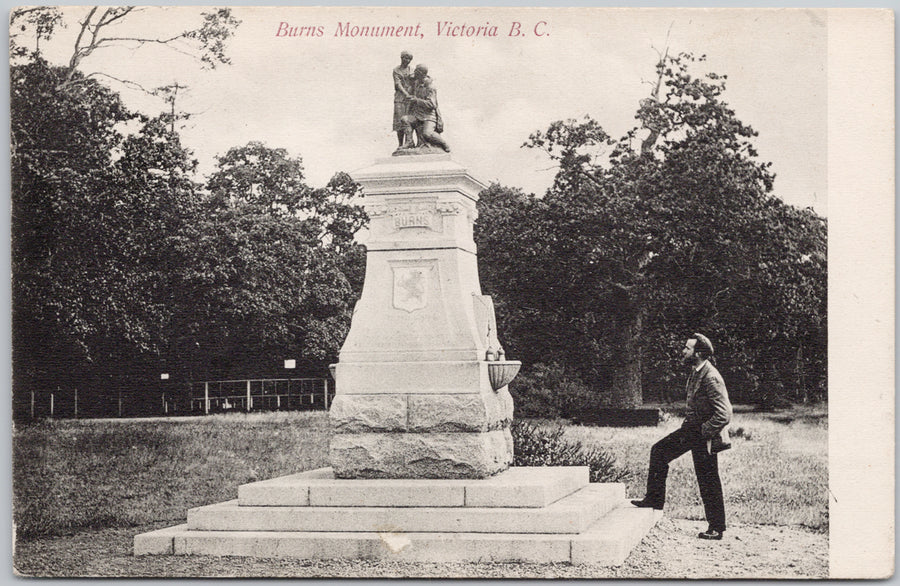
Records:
x=707, y=402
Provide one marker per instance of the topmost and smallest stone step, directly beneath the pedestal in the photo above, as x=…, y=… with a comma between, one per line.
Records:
x=524, y=487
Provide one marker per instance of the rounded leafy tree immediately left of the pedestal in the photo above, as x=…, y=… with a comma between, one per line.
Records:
x=271, y=270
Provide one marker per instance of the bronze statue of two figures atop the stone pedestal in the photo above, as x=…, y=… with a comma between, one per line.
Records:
x=417, y=117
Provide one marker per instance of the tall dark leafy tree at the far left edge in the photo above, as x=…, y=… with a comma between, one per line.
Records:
x=94, y=214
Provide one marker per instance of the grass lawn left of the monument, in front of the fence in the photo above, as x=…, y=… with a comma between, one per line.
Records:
x=73, y=474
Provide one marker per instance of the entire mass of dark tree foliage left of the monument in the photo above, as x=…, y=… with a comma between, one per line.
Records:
x=125, y=265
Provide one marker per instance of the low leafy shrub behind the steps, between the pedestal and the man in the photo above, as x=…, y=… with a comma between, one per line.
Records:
x=536, y=446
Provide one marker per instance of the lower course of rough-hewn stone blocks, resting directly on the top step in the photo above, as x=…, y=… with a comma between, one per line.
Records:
x=421, y=455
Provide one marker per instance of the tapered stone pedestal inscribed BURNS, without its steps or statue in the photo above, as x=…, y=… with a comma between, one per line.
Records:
x=420, y=393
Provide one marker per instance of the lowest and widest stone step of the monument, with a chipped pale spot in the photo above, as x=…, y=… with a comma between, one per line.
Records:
x=606, y=542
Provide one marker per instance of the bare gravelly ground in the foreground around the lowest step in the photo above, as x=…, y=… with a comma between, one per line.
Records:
x=670, y=550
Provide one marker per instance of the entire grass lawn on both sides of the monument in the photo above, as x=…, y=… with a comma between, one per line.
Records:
x=73, y=476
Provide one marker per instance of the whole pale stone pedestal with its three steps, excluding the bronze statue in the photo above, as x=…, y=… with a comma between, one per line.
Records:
x=421, y=448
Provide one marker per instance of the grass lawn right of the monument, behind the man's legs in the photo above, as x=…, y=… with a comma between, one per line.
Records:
x=775, y=474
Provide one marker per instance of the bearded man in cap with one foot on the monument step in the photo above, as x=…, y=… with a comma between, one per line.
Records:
x=702, y=433
